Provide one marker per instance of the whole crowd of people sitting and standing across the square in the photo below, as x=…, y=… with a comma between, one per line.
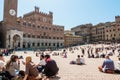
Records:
x=10, y=70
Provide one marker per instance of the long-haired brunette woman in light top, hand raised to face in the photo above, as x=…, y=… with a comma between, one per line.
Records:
x=13, y=65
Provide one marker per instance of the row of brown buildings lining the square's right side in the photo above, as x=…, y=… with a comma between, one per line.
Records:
x=108, y=32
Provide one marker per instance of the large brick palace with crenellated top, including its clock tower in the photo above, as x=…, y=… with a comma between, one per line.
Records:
x=33, y=30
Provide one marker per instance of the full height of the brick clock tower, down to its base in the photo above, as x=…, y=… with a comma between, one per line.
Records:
x=9, y=23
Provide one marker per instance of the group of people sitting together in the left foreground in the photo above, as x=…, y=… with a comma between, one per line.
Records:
x=10, y=70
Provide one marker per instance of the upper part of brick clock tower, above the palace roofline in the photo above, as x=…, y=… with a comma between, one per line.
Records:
x=10, y=10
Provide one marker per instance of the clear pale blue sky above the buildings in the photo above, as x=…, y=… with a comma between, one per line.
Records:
x=71, y=13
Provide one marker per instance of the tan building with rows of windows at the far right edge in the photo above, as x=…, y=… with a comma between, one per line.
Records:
x=112, y=31
